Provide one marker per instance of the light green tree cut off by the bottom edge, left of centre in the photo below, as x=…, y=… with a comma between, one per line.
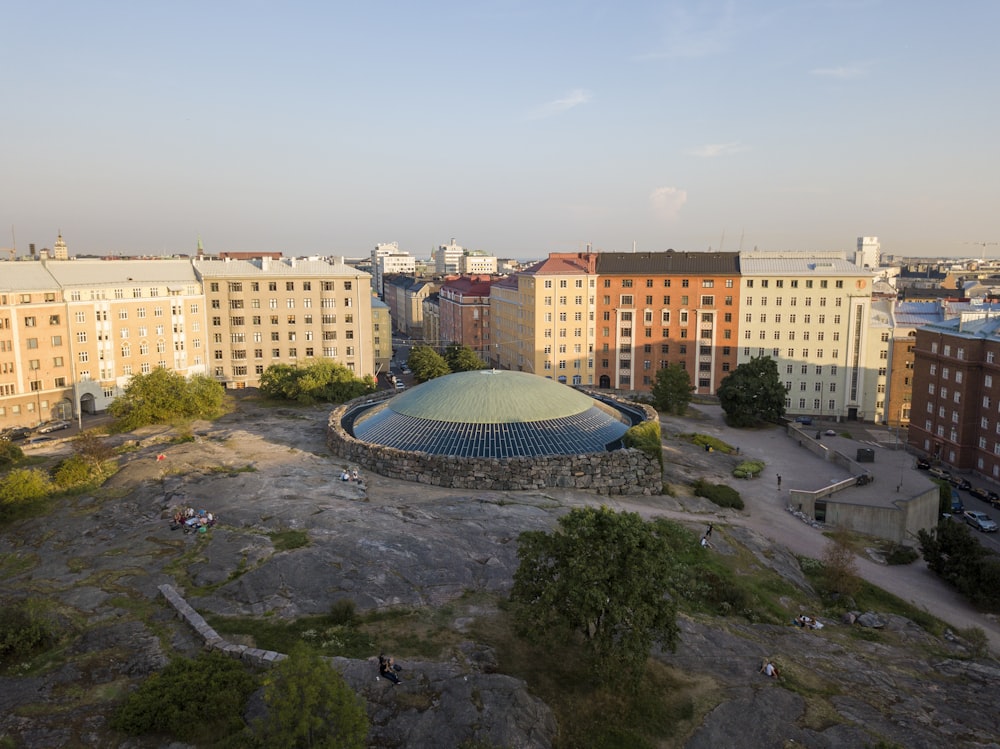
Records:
x=310, y=705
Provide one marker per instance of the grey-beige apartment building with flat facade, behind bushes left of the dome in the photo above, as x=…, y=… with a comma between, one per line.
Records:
x=262, y=312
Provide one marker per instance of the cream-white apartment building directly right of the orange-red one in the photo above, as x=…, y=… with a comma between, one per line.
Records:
x=810, y=313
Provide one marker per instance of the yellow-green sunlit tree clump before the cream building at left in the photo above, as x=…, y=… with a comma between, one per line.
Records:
x=163, y=396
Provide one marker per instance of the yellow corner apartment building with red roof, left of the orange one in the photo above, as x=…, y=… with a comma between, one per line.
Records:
x=547, y=315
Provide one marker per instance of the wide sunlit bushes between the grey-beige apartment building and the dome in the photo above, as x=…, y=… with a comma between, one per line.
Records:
x=320, y=381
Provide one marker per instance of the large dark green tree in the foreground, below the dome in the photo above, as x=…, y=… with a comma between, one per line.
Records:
x=602, y=577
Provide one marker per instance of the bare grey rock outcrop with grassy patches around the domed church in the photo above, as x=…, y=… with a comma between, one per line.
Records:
x=382, y=543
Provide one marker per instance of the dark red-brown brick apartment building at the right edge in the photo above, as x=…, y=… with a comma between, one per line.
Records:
x=955, y=415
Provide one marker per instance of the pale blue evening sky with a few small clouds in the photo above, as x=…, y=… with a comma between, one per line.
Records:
x=515, y=127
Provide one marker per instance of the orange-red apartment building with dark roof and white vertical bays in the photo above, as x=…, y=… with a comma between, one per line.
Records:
x=661, y=308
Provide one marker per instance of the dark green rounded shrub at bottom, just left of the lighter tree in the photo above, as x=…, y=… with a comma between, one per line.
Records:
x=199, y=700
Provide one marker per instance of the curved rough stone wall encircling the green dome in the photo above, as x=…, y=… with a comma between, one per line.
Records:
x=614, y=472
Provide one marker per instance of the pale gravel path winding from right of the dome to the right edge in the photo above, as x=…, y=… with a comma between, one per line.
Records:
x=766, y=514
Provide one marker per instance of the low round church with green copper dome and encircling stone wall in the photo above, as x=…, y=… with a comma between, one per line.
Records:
x=497, y=429
